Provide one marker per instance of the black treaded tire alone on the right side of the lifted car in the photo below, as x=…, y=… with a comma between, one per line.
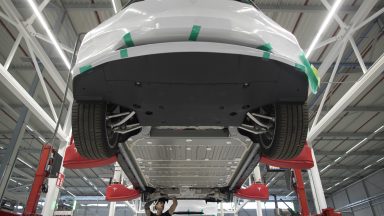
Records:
x=290, y=132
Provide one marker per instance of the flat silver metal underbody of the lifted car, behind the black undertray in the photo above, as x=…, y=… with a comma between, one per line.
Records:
x=201, y=163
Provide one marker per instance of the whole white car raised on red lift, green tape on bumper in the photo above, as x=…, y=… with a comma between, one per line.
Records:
x=189, y=93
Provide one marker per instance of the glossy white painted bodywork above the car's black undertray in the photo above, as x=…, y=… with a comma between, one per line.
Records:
x=160, y=26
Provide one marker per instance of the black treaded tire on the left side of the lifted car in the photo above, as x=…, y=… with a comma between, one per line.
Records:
x=89, y=127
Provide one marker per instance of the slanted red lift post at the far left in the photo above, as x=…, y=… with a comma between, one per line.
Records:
x=40, y=176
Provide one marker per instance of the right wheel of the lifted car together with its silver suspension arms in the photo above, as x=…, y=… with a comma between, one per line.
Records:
x=281, y=129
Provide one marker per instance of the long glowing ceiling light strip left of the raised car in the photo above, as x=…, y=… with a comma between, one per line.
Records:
x=49, y=33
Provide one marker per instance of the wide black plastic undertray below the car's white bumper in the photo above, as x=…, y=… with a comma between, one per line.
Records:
x=192, y=88
